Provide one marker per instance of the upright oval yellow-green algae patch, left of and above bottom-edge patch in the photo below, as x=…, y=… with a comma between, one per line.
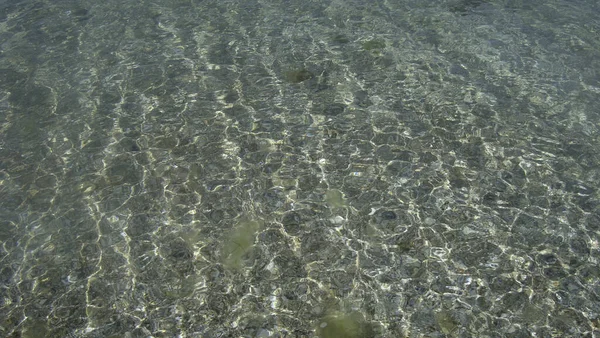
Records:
x=239, y=243
